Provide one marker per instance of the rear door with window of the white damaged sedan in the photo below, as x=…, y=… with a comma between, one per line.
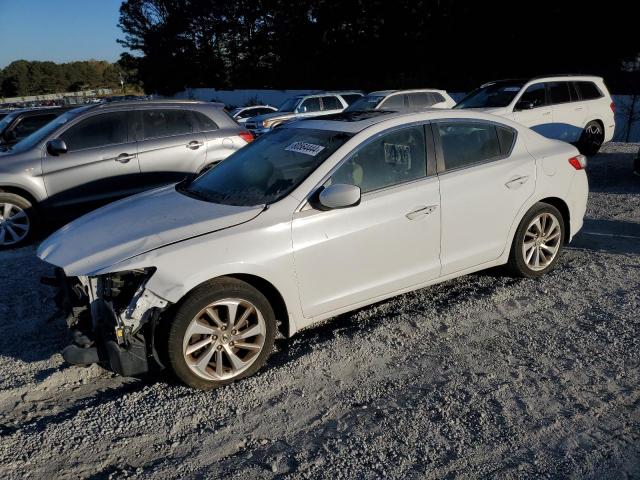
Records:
x=485, y=178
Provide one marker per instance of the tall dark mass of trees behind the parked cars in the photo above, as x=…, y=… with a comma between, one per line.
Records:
x=331, y=44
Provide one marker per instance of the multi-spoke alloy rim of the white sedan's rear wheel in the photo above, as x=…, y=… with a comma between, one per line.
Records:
x=541, y=241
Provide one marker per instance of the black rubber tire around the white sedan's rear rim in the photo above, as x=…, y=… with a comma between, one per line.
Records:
x=517, y=264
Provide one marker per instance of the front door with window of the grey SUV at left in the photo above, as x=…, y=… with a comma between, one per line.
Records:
x=100, y=164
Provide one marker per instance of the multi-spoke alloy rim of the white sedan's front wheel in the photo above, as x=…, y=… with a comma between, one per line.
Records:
x=224, y=339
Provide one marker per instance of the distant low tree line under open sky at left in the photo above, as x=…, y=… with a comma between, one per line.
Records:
x=22, y=77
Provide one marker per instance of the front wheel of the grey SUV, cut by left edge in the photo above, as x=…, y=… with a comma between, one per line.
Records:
x=17, y=220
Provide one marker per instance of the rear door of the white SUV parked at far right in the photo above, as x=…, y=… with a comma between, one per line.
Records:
x=569, y=113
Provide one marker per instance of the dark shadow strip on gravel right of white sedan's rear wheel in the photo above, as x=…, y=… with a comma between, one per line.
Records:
x=612, y=236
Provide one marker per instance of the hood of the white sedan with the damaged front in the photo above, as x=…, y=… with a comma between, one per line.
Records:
x=136, y=225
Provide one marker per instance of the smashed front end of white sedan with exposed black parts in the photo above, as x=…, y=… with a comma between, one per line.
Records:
x=112, y=318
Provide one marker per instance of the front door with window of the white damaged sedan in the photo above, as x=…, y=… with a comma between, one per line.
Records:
x=389, y=242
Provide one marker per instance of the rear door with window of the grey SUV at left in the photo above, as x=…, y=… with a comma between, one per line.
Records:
x=170, y=145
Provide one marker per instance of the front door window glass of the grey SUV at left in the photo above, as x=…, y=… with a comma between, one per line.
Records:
x=97, y=131
